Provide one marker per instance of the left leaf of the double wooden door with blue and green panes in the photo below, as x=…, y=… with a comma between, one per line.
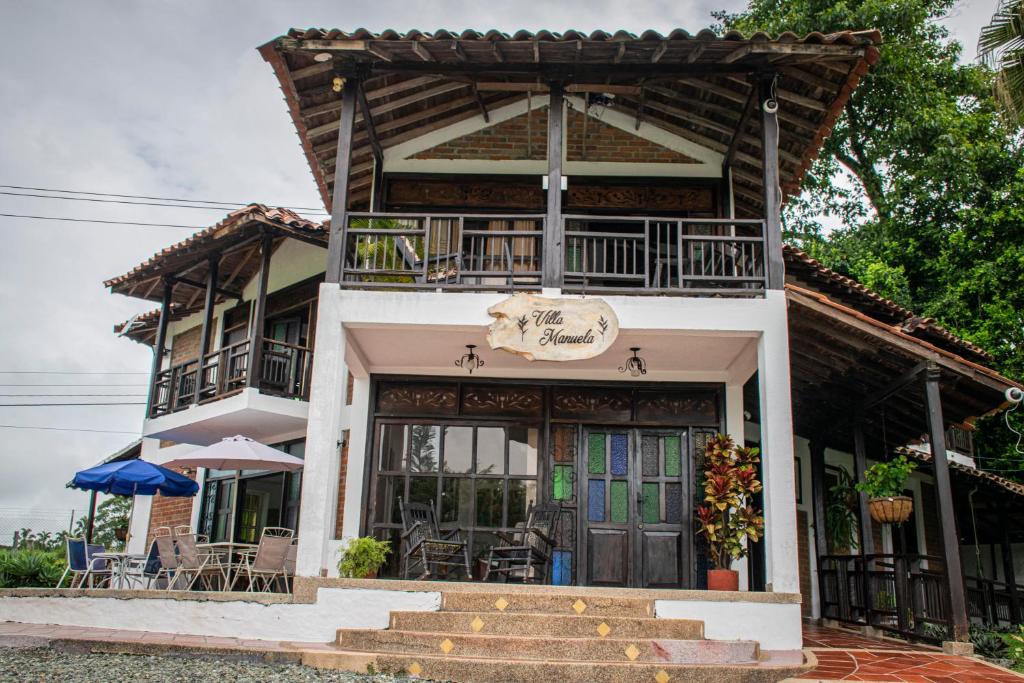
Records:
x=608, y=506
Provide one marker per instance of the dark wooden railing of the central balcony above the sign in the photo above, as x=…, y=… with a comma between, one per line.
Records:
x=590, y=254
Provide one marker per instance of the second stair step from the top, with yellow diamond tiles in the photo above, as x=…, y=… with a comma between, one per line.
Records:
x=540, y=625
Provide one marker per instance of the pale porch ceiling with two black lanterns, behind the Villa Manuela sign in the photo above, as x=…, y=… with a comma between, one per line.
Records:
x=670, y=357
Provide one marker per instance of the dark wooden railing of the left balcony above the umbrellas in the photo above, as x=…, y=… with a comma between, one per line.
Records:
x=285, y=372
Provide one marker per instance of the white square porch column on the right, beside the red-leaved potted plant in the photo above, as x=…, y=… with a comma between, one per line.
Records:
x=783, y=567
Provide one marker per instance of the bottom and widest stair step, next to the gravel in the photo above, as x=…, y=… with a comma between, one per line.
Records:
x=476, y=670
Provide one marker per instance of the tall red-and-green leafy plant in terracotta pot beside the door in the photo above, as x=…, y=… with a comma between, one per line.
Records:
x=730, y=518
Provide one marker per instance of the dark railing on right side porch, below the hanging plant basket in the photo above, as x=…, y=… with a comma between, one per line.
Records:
x=904, y=594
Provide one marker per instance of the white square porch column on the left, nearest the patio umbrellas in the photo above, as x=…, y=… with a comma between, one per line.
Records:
x=327, y=401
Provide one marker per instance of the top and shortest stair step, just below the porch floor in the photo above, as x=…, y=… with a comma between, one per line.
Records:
x=548, y=603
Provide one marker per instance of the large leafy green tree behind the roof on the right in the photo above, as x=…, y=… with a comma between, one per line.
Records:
x=925, y=176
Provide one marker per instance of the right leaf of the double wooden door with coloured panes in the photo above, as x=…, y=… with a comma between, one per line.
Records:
x=664, y=529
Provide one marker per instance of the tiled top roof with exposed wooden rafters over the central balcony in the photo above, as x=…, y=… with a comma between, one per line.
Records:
x=698, y=88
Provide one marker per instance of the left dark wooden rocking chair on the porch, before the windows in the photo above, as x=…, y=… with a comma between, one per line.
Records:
x=426, y=547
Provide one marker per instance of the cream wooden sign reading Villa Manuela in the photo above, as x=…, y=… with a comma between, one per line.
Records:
x=542, y=329
